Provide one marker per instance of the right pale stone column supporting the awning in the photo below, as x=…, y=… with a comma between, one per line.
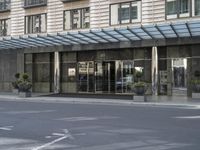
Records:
x=154, y=70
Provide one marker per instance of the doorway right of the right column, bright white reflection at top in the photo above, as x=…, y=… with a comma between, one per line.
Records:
x=179, y=79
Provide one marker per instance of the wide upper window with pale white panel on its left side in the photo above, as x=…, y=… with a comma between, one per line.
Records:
x=128, y=12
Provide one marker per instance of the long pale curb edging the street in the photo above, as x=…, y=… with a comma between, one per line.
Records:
x=97, y=101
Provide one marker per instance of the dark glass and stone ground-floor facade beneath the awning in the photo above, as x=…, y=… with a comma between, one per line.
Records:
x=104, y=68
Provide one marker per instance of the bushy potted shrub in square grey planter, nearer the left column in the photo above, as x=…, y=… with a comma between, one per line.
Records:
x=24, y=85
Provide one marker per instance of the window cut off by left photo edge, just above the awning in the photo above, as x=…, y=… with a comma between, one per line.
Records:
x=5, y=27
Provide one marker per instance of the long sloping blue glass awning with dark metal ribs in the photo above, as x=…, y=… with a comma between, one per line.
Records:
x=106, y=35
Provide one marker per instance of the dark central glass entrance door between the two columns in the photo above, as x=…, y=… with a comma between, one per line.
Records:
x=105, y=77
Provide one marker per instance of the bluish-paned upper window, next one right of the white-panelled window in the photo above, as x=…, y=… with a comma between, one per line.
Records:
x=177, y=8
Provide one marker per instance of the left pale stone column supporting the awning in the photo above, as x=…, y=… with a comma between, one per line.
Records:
x=56, y=72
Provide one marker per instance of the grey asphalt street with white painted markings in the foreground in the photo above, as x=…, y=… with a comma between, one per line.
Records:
x=63, y=126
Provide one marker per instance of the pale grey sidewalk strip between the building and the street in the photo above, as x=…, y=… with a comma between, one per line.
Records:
x=152, y=101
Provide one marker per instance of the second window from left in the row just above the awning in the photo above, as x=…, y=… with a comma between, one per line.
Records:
x=35, y=23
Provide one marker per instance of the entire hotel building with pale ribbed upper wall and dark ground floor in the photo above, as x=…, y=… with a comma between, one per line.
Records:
x=96, y=46
